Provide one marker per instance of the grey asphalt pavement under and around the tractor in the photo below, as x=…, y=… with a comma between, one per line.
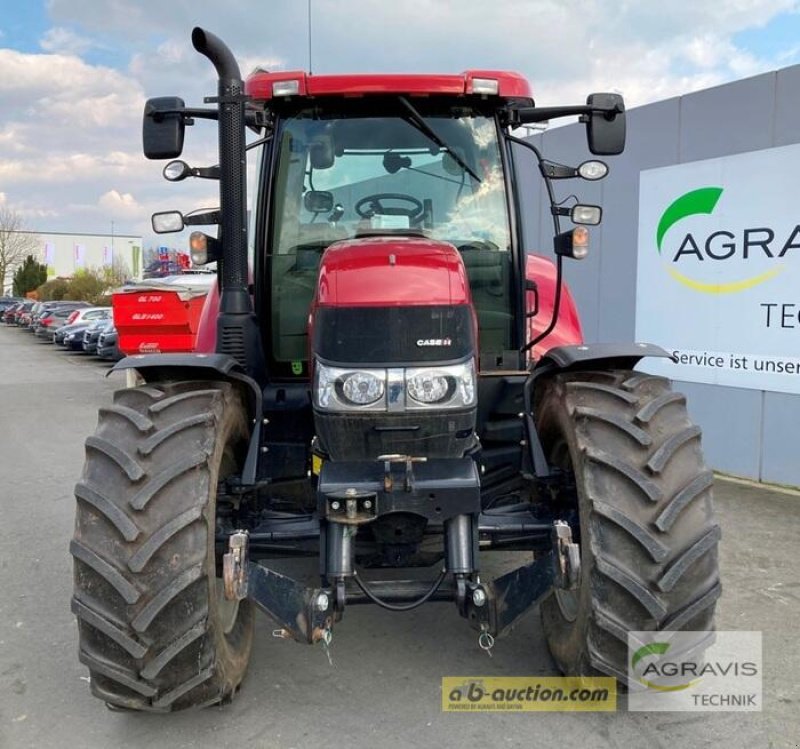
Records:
x=384, y=686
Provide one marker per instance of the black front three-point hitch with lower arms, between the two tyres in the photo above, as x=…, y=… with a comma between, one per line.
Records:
x=306, y=614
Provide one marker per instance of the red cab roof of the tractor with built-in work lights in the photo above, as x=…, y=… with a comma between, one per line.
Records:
x=262, y=85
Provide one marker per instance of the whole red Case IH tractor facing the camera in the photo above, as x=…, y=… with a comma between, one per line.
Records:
x=390, y=382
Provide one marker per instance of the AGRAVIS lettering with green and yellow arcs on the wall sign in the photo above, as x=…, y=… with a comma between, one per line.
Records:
x=749, y=247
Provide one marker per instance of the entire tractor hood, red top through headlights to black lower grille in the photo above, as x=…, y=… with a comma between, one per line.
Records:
x=393, y=339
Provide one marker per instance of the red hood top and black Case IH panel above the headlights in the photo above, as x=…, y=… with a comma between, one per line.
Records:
x=382, y=300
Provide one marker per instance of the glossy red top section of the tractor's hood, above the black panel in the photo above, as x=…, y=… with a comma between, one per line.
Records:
x=391, y=271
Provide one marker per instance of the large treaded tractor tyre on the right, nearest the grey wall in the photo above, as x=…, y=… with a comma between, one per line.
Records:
x=647, y=531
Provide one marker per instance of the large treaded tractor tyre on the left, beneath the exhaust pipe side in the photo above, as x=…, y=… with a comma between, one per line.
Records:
x=154, y=628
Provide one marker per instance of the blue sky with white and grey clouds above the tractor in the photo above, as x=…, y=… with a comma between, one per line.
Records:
x=74, y=74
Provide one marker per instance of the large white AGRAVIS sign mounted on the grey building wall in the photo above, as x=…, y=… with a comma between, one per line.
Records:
x=718, y=279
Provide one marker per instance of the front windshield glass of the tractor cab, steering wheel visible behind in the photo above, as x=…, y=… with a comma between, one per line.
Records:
x=341, y=177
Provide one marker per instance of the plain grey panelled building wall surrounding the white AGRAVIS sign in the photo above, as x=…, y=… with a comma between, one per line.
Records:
x=746, y=432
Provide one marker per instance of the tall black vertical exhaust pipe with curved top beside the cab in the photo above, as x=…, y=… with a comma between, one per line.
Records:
x=237, y=328
